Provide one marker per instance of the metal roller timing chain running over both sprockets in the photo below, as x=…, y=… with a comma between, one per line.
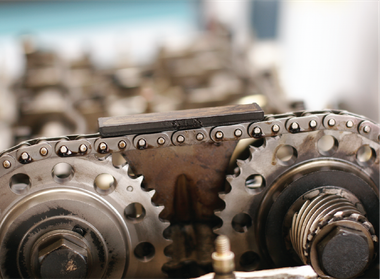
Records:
x=34, y=150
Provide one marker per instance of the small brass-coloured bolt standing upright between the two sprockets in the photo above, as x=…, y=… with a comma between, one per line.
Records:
x=223, y=258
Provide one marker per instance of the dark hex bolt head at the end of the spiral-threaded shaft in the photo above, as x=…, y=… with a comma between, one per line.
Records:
x=344, y=253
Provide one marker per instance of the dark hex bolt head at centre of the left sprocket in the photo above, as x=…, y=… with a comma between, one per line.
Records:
x=63, y=259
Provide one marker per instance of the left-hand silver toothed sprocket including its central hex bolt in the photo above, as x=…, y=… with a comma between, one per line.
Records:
x=85, y=205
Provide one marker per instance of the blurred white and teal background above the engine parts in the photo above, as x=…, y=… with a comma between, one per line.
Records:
x=326, y=52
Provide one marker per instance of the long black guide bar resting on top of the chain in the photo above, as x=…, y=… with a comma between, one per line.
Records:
x=179, y=120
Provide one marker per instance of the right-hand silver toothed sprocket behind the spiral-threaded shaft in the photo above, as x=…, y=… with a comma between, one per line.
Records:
x=289, y=165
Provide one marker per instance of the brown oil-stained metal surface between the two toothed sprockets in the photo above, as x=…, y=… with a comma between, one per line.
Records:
x=187, y=180
